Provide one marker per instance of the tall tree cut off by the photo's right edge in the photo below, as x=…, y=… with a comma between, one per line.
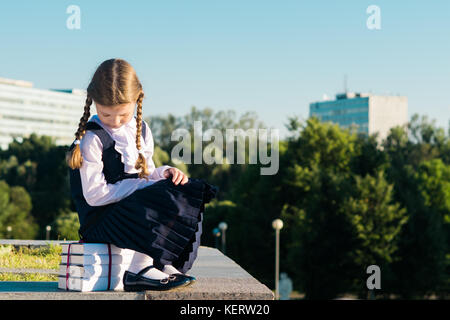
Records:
x=412, y=152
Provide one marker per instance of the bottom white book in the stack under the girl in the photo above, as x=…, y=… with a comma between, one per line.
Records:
x=92, y=284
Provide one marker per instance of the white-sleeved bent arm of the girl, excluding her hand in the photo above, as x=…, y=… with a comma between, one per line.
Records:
x=96, y=190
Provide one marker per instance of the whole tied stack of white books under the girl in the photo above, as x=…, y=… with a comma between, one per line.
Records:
x=96, y=266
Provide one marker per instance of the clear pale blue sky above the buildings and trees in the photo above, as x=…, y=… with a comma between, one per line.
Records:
x=271, y=57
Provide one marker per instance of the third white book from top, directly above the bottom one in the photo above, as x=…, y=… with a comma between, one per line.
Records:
x=95, y=270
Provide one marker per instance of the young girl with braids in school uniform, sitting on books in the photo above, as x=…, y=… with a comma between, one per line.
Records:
x=120, y=196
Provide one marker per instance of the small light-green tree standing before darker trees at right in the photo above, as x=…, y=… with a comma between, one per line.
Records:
x=376, y=223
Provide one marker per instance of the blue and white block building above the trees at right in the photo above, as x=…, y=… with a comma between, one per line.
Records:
x=371, y=113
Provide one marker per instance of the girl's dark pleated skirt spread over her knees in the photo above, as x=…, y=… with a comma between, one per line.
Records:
x=163, y=220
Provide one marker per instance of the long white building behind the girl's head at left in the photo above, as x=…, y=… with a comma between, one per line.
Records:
x=25, y=110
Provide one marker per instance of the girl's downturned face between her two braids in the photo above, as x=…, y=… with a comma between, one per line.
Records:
x=115, y=116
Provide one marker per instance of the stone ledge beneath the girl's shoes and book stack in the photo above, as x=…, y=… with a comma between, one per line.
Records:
x=218, y=278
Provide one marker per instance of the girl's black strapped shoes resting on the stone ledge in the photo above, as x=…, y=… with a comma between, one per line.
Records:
x=137, y=282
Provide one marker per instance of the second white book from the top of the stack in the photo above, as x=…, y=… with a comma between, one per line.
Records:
x=89, y=259
